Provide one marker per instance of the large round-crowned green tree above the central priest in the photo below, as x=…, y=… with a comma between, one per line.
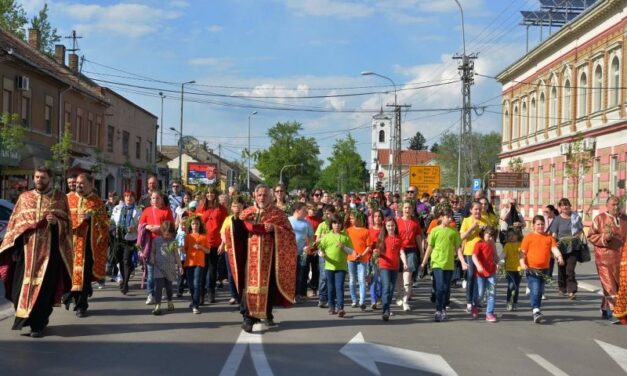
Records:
x=289, y=148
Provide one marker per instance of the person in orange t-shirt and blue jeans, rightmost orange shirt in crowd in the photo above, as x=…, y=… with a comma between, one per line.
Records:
x=536, y=249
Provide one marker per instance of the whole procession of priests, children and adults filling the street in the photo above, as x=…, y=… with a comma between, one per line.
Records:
x=271, y=249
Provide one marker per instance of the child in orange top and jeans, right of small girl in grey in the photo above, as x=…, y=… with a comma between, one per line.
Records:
x=196, y=246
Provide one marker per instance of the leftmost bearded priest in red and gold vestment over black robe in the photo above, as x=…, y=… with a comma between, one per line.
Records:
x=36, y=254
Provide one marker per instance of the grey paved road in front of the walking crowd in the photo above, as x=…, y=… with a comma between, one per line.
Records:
x=121, y=337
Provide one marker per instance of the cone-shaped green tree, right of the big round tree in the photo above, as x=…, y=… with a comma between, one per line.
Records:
x=346, y=170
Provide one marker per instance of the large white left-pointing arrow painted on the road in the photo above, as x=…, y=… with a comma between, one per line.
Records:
x=367, y=354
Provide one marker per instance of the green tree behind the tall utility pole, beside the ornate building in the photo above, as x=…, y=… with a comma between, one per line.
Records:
x=485, y=150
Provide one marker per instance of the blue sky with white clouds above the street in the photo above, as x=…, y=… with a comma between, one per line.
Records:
x=271, y=53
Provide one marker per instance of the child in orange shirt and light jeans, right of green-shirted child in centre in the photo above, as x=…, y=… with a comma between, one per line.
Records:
x=359, y=259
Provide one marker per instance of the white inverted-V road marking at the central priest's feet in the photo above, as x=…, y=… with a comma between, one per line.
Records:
x=244, y=341
